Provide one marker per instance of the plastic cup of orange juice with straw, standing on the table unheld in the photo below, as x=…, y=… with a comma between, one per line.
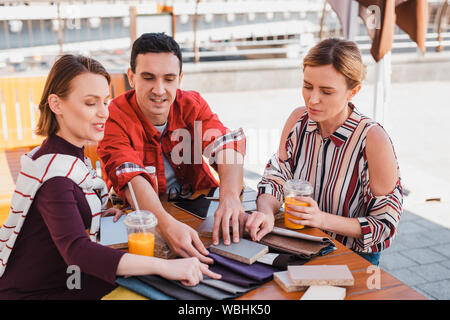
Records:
x=141, y=232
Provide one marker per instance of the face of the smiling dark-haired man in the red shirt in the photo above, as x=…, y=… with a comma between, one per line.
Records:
x=156, y=81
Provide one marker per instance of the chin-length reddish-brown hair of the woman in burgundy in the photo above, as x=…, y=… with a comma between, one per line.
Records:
x=65, y=69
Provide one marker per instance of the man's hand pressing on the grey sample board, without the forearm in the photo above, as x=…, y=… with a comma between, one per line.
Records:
x=229, y=208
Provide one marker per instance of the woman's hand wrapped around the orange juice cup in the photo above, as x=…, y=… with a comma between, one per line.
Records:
x=310, y=216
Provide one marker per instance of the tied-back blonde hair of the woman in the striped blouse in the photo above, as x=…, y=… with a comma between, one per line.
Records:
x=343, y=55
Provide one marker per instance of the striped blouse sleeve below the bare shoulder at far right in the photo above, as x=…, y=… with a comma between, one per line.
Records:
x=379, y=226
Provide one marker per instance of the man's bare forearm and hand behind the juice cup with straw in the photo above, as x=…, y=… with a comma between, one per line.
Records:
x=181, y=238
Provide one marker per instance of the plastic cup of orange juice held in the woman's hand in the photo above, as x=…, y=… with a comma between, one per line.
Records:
x=294, y=188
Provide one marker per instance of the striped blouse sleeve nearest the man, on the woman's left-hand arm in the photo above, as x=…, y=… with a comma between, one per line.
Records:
x=278, y=171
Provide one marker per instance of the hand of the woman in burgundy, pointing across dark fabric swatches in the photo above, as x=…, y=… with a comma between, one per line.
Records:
x=189, y=271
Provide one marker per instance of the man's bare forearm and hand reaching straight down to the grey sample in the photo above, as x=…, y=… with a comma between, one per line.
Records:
x=231, y=174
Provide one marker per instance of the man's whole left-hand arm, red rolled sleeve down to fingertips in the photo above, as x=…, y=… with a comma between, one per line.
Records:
x=123, y=163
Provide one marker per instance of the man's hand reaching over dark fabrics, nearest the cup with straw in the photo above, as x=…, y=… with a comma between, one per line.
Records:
x=183, y=240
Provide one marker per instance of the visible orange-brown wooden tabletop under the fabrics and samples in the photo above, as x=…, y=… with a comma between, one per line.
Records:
x=390, y=288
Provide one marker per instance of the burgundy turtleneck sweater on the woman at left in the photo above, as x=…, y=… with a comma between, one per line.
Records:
x=54, y=237
